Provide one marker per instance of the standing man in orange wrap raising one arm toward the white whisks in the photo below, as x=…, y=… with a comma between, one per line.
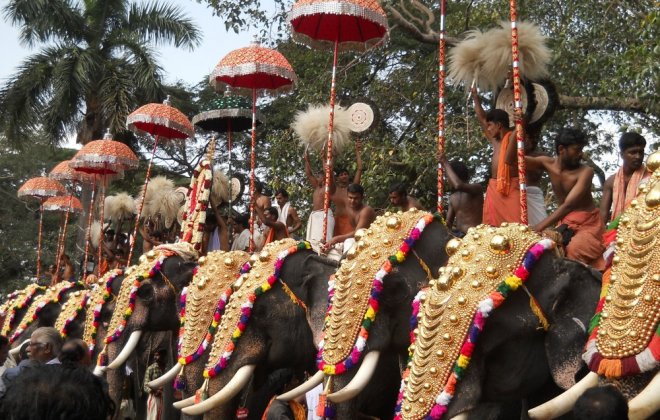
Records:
x=502, y=202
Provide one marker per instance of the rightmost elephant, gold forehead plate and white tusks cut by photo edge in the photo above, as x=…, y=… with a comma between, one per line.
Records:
x=624, y=343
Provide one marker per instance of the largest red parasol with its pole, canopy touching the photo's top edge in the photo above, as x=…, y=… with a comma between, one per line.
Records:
x=341, y=25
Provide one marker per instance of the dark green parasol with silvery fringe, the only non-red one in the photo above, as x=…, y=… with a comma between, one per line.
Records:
x=227, y=114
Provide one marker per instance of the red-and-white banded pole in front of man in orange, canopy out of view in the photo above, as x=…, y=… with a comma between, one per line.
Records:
x=517, y=101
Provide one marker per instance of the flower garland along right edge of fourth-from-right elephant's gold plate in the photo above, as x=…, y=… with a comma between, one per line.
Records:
x=246, y=308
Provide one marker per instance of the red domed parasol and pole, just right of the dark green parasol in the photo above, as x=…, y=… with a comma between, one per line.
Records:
x=253, y=69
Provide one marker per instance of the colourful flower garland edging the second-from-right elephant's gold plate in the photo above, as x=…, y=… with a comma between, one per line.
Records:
x=485, y=307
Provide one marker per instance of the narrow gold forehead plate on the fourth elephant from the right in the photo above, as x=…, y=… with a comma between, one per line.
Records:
x=262, y=267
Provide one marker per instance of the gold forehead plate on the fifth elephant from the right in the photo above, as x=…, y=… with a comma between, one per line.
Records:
x=216, y=273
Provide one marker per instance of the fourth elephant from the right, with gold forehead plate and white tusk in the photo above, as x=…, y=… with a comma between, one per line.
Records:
x=266, y=325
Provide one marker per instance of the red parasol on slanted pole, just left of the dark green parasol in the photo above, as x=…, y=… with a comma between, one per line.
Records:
x=159, y=120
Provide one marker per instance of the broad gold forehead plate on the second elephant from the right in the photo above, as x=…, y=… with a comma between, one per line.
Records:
x=477, y=265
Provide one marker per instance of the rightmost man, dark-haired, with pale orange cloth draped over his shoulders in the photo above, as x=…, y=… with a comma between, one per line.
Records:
x=620, y=188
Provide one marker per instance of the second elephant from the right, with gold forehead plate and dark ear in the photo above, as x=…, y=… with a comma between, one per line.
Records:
x=479, y=348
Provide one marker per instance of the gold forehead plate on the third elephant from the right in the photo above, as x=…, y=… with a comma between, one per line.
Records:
x=354, y=280
